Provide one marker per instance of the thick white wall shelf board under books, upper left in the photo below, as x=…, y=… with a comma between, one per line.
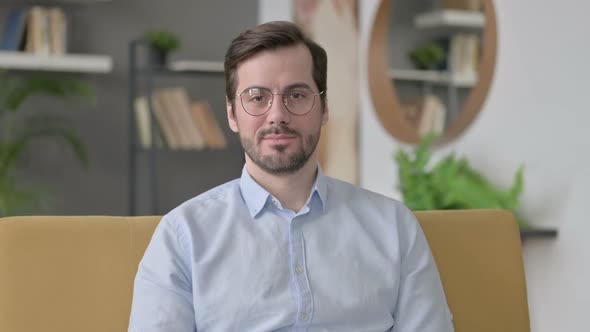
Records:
x=80, y=63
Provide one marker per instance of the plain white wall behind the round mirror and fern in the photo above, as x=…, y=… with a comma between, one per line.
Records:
x=537, y=114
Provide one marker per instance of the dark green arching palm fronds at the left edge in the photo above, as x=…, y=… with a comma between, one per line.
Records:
x=18, y=131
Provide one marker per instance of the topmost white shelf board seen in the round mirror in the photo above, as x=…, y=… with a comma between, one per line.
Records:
x=450, y=18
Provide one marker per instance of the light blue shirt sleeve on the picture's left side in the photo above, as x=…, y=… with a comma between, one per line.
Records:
x=162, y=294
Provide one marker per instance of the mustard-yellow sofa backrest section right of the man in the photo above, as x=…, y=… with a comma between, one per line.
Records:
x=479, y=256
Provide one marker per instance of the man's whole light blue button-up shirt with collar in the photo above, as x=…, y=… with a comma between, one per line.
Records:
x=233, y=259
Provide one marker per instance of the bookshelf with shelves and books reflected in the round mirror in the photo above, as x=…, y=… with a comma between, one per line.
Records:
x=458, y=74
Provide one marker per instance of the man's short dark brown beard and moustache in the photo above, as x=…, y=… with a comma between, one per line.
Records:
x=281, y=162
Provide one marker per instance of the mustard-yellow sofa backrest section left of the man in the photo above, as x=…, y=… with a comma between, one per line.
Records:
x=66, y=274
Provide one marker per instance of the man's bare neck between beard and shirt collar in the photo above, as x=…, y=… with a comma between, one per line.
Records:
x=292, y=190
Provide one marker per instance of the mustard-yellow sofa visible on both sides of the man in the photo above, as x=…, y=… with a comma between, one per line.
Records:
x=66, y=274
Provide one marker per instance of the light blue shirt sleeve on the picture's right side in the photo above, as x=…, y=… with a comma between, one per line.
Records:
x=421, y=304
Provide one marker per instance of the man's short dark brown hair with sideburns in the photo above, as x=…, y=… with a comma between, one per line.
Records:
x=270, y=36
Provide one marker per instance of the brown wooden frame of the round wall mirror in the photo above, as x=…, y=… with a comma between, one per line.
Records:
x=383, y=93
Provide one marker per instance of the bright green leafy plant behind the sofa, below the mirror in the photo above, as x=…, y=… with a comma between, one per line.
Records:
x=451, y=183
